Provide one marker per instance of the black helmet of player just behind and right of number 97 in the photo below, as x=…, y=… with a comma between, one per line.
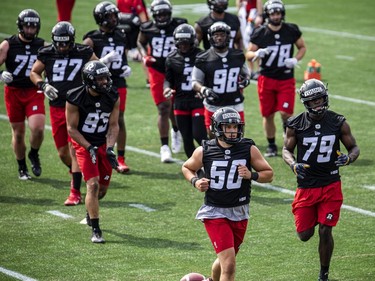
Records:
x=102, y=14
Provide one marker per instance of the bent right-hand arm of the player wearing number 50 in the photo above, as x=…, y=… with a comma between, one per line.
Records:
x=263, y=171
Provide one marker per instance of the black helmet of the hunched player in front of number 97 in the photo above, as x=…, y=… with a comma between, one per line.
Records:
x=93, y=70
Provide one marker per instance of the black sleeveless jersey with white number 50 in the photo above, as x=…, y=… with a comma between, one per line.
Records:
x=220, y=164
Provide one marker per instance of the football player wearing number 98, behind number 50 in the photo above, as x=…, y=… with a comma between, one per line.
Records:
x=220, y=74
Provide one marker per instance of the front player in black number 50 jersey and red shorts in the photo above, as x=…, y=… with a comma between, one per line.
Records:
x=230, y=163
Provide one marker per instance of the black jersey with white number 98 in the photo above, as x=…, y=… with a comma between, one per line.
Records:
x=222, y=75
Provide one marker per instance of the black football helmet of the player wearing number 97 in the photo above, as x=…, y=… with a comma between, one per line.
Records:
x=63, y=34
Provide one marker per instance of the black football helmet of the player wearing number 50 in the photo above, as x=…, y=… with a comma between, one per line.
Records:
x=227, y=115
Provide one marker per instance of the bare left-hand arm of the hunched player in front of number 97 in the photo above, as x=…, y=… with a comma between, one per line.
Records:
x=72, y=120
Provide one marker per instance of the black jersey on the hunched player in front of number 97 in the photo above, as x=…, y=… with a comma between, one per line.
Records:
x=94, y=113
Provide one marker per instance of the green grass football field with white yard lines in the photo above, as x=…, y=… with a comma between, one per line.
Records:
x=164, y=242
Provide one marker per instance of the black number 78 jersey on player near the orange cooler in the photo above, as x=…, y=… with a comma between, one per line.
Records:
x=281, y=47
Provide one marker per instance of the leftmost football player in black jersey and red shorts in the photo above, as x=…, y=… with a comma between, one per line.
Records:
x=19, y=52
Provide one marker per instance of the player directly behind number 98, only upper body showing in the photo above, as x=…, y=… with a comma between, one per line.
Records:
x=217, y=13
